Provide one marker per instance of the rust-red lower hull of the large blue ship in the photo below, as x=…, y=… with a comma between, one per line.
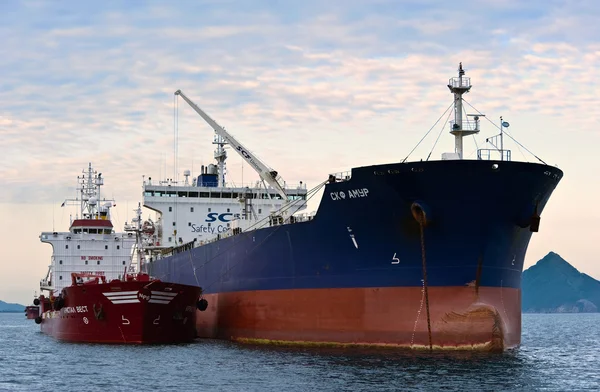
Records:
x=459, y=317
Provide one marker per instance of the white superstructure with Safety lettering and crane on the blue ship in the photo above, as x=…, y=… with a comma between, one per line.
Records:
x=208, y=207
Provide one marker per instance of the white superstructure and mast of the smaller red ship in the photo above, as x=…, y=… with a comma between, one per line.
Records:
x=91, y=245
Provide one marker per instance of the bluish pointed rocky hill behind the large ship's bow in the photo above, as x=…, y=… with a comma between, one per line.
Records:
x=553, y=285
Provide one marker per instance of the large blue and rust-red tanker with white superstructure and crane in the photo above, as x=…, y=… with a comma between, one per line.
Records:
x=424, y=254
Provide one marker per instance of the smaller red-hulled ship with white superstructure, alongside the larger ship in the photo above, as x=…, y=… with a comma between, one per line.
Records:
x=97, y=290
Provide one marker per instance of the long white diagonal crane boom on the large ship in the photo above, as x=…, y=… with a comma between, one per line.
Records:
x=265, y=172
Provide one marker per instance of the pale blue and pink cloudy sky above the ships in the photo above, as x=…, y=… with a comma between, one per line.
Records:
x=311, y=87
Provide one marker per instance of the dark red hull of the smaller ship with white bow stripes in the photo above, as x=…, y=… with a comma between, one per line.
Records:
x=124, y=312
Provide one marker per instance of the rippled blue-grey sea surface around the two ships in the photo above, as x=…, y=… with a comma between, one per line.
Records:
x=559, y=352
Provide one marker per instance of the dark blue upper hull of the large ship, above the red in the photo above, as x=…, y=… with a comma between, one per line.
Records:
x=479, y=216
